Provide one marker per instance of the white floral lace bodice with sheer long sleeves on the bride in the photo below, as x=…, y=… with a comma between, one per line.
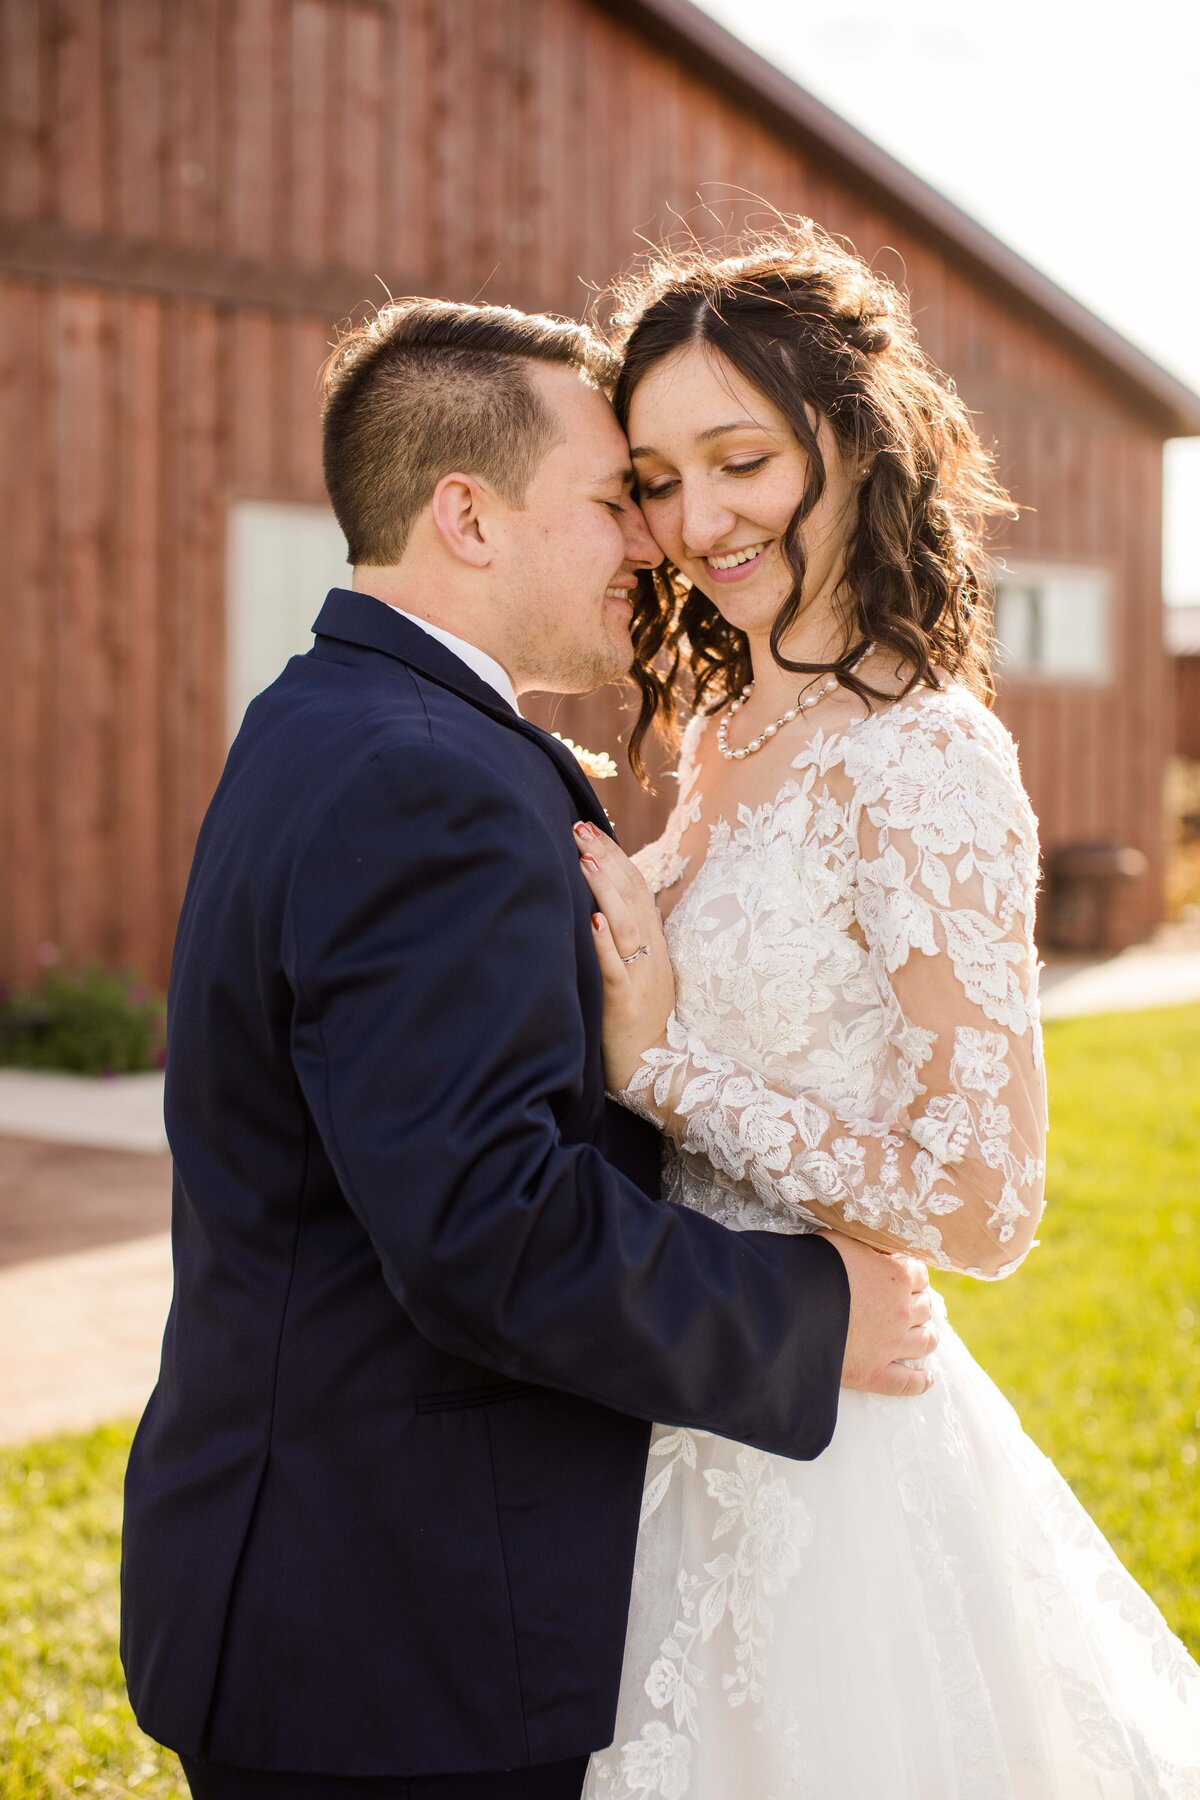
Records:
x=857, y=1032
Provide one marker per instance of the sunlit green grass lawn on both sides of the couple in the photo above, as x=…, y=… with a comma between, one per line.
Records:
x=1097, y=1340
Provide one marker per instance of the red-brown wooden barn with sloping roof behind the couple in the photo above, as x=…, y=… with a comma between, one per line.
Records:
x=192, y=195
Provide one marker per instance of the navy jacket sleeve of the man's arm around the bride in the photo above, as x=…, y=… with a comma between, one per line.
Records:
x=438, y=1038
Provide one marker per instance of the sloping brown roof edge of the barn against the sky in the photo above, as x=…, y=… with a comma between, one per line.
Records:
x=701, y=44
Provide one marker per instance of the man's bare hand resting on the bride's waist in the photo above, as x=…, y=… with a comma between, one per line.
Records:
x=891, y=1320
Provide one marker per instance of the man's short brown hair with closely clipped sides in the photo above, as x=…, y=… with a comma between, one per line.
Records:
x=425, y=388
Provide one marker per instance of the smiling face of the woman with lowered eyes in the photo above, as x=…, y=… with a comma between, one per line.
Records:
x=721, y=474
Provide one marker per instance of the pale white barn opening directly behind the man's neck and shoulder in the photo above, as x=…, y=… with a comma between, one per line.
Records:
x=282, y=564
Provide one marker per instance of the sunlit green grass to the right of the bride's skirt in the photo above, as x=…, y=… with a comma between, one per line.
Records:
x=1097, y=1340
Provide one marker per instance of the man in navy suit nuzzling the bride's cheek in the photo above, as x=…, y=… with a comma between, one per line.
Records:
x=382, y=1507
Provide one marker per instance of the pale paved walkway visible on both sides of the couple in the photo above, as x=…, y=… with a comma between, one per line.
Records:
x=85, y=1201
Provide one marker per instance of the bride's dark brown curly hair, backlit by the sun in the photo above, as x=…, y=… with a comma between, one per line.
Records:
x=810, y=325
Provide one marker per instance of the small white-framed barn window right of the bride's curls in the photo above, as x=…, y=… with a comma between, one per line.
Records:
x=1055, y=624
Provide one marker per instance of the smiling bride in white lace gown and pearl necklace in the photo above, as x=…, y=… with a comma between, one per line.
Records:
x=846, y=957
